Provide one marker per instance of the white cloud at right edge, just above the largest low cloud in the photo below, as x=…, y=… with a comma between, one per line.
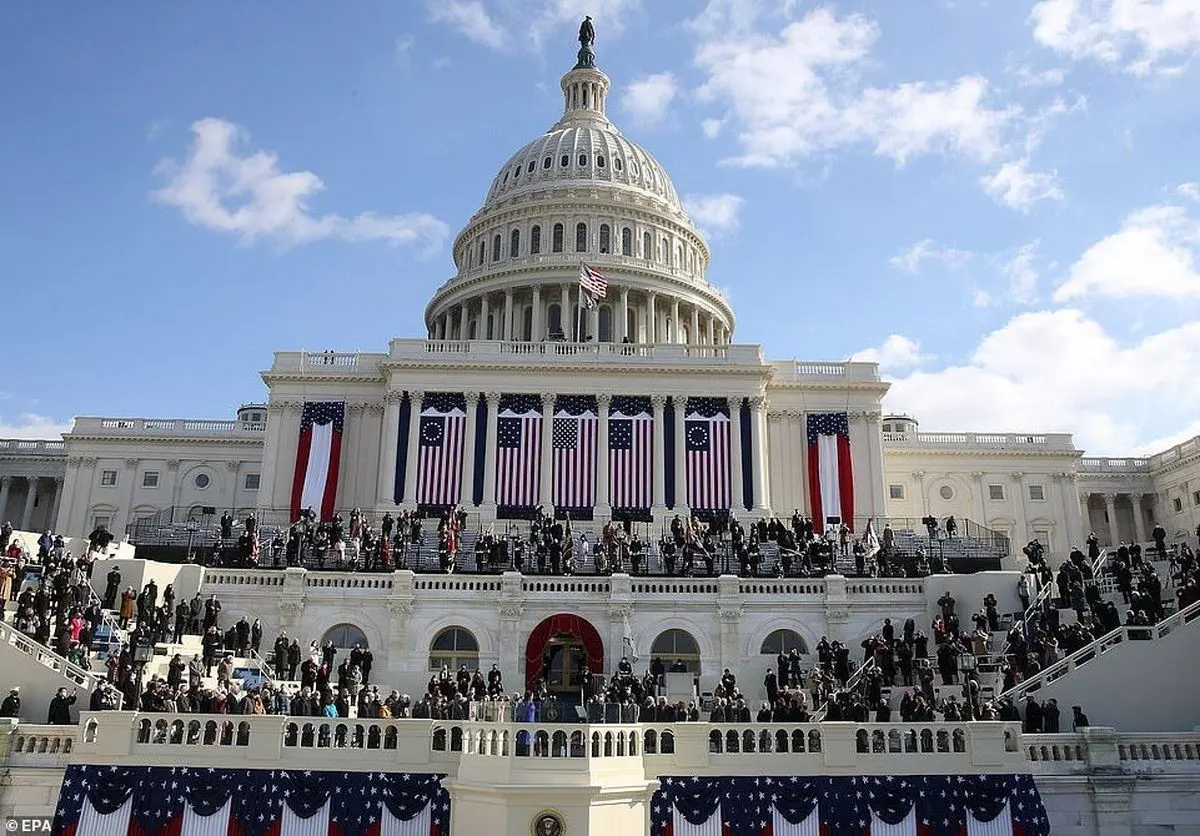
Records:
x=1153, y=255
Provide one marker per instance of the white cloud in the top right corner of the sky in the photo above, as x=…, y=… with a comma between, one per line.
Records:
x=1144, y=37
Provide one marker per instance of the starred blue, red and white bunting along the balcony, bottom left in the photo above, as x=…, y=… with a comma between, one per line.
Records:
x=100, y=801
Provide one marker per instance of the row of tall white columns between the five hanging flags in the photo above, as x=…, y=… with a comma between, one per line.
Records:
x=387, y=485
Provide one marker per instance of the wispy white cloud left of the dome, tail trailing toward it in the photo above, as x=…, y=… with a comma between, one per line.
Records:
x=249, y=196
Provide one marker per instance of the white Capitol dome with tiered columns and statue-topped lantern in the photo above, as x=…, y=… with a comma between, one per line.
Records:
x=581, y=194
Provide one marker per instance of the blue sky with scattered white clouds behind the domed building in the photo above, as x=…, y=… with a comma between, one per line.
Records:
x=997, y=201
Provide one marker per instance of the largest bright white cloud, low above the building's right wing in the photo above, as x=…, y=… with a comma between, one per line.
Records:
x=1007, y=384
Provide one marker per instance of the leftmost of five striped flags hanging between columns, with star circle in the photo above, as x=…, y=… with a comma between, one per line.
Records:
x=441, y=440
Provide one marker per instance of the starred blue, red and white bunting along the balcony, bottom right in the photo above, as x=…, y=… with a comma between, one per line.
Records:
x=880, y=805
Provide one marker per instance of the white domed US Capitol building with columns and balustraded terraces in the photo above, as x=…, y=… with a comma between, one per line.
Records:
x=670, y=416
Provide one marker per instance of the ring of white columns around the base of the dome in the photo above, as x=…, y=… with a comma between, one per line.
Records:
x=655, y=324
